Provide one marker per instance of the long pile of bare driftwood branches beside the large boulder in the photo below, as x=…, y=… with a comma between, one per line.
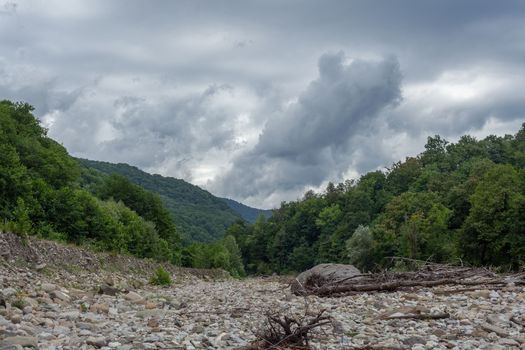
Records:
x=428, y=275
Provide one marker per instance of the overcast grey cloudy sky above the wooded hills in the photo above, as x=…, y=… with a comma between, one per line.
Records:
x=260, y=101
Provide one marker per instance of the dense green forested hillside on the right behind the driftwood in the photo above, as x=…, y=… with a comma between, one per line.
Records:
x=455, y=202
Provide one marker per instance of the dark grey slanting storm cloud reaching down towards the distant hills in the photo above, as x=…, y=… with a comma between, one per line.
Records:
x=311, y=141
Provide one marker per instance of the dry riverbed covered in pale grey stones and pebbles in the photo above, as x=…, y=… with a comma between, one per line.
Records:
x=46, y=305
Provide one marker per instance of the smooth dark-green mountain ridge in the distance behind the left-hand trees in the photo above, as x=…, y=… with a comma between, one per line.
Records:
x=199, y=215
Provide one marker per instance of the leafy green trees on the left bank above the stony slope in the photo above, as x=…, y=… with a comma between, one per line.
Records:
x=40, y=194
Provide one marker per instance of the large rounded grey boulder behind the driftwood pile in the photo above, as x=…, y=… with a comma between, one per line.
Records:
x=322, y=274
